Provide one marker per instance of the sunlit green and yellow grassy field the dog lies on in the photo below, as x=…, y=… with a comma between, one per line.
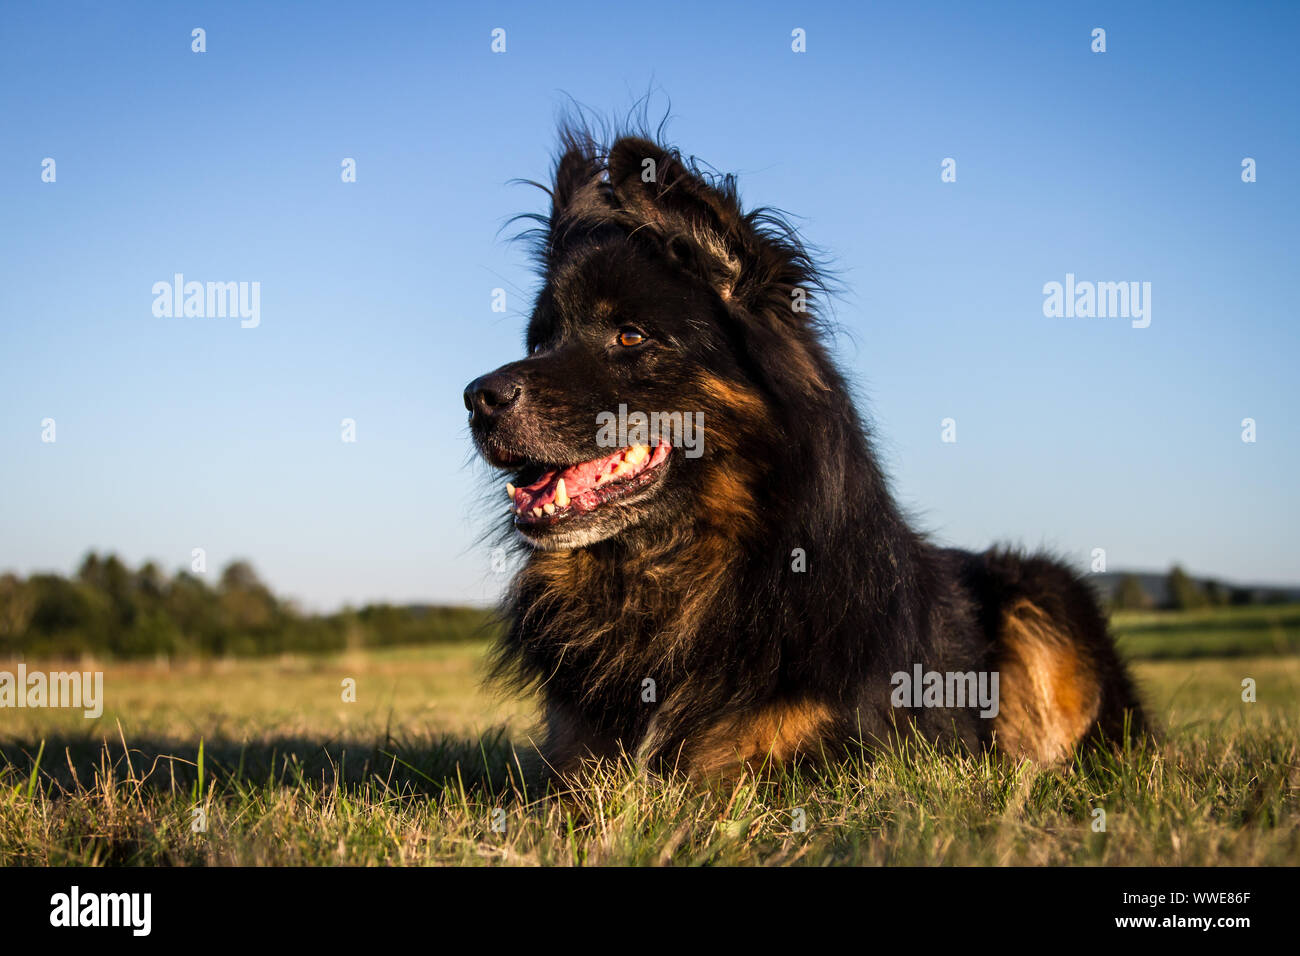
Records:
x=427, y=768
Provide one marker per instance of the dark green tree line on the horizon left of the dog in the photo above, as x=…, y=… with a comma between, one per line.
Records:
x=110, y=609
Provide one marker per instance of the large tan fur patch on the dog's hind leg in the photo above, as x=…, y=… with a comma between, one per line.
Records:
x=1050, y=695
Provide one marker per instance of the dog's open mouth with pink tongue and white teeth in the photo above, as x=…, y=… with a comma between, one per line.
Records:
x=566, y=492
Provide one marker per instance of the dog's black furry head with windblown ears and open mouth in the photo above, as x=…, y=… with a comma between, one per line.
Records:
x=671, y=358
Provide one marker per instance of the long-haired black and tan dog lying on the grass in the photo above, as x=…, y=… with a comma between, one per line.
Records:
x=756, y=596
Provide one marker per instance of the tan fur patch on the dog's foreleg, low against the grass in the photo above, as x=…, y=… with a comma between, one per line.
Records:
x=773, y=736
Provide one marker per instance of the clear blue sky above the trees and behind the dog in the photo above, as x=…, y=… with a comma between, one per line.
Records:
x=1073, y=434
